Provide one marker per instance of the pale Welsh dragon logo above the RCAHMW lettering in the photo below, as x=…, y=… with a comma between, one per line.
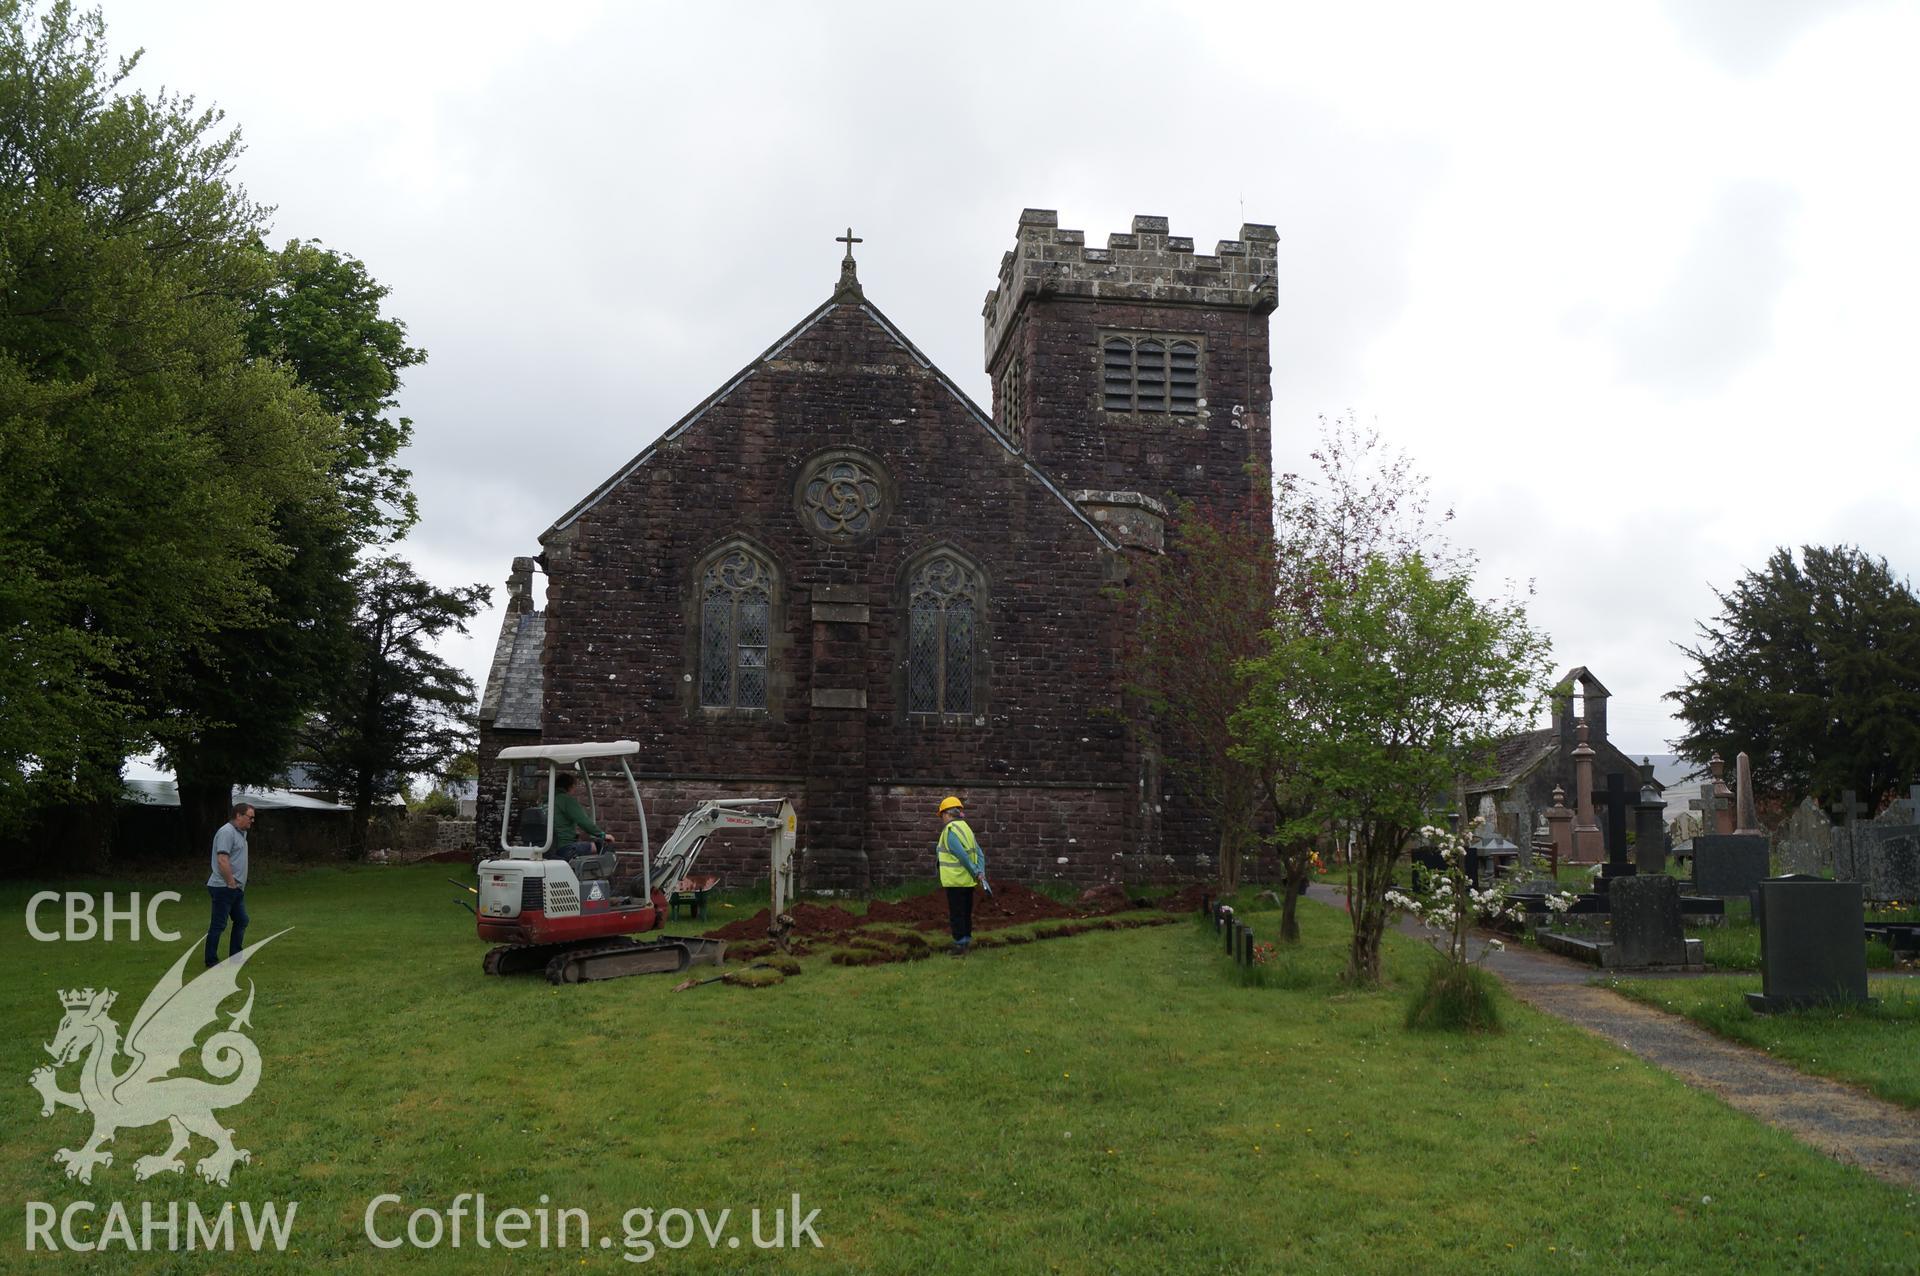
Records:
x=145, y=1091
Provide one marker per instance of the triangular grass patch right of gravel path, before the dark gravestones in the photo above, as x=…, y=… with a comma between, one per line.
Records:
x=1875, y=1047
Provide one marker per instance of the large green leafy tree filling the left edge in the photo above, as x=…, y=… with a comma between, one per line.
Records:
x=147, y=450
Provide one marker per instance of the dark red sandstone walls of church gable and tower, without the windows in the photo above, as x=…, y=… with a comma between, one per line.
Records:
x=1049, y=768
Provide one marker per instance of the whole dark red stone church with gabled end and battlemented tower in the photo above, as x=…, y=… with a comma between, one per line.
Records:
x=842, y=582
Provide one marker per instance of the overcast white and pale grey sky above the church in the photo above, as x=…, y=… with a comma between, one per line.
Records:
x=1635, y=283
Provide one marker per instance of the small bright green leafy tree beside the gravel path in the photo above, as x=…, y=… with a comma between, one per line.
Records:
x=1389, y=688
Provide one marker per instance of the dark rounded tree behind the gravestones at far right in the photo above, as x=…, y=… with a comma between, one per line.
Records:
x=1813, y=669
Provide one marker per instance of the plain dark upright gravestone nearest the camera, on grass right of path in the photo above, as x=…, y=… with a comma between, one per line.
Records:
x=1813, y=947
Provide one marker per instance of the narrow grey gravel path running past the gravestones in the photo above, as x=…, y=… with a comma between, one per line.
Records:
x=1840, y=1122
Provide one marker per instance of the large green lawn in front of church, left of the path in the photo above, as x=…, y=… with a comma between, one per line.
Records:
x=1115, y=1102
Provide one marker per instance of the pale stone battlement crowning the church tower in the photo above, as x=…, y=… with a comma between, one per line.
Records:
x=1141, y=266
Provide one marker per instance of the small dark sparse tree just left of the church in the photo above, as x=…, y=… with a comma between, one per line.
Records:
x=400, y=711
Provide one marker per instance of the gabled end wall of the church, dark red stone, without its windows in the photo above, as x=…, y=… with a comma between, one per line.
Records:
x=623, y=605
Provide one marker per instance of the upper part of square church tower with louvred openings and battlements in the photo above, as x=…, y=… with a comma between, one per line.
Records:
x=1136, y=371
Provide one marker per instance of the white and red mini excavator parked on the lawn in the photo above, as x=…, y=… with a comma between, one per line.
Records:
x=577, y=920
